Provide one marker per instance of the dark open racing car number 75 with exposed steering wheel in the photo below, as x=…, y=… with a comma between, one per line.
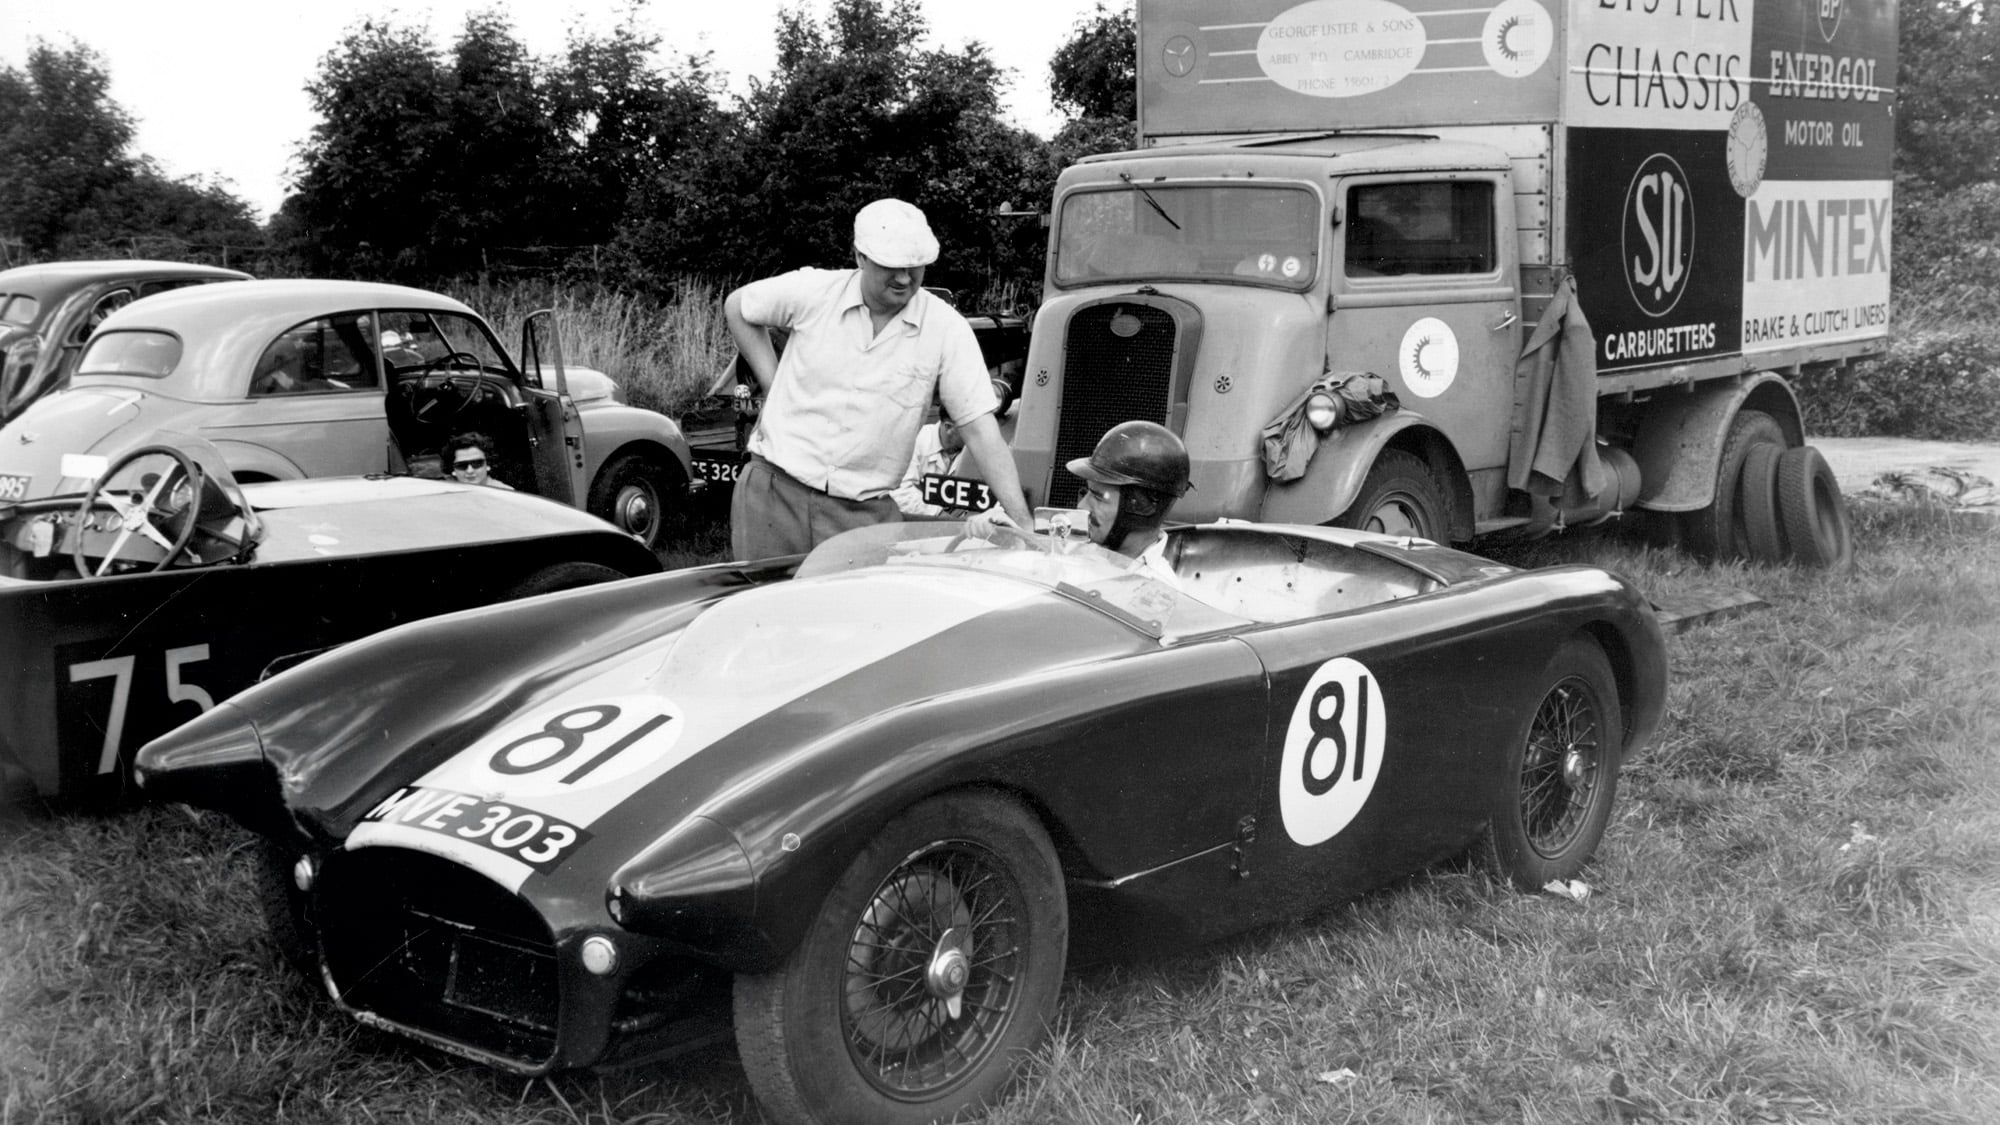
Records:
x=165, y=588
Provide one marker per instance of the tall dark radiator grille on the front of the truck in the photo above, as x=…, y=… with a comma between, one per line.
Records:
x=1117, y=367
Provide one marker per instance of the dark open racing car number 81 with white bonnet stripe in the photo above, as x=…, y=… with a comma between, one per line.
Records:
x=881, y=796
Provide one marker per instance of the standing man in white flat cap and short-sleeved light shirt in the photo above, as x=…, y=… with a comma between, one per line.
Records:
x=867, y=353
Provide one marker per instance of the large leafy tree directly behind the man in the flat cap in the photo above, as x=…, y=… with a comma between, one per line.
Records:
x=857, y=111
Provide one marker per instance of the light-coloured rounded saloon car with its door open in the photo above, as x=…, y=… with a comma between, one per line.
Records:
x=329, y=379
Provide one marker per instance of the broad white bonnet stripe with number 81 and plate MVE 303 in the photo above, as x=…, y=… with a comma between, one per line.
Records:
x=751, y=680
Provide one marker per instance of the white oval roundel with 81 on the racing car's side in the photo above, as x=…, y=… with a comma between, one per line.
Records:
x=1333, y=752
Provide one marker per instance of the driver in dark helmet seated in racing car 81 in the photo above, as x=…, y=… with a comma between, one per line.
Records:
x=1131, y=483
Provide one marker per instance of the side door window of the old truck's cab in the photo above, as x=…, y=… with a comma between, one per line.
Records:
x=1439, y=227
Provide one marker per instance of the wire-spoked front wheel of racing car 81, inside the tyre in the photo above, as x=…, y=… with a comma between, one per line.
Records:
x=933, y=980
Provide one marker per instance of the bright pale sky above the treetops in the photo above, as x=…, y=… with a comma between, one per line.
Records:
x=217, y=87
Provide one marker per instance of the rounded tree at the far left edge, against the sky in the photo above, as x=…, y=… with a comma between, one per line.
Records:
x=63, y=141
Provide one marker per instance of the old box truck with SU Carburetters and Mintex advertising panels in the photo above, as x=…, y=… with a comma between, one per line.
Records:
x=1461, y=271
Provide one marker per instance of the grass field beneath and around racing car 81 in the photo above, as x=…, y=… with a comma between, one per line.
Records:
x=1793, y=918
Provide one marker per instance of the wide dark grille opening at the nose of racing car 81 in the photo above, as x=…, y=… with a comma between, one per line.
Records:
x=431, y=946
